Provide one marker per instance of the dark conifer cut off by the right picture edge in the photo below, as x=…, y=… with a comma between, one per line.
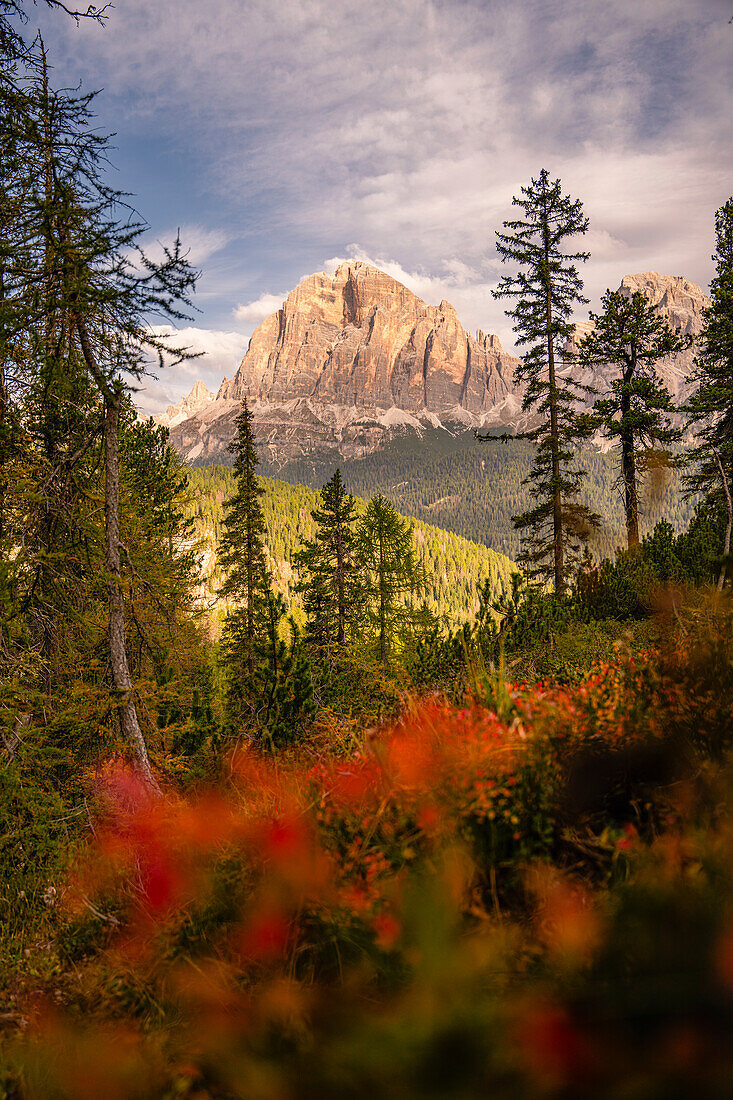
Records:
x=710, y=409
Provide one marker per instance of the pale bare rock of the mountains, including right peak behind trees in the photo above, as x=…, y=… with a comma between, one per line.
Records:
x=354, y=359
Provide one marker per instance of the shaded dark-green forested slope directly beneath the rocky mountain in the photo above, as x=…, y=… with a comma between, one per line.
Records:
x=475, y=489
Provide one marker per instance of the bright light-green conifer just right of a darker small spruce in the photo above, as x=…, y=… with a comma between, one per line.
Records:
x=386, y=552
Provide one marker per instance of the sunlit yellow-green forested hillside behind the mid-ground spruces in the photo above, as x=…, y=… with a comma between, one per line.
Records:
x=455, y=568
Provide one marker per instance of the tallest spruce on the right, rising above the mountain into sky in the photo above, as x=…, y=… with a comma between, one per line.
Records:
x=548, y=288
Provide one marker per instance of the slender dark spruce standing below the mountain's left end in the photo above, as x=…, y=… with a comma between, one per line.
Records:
x=243, y=557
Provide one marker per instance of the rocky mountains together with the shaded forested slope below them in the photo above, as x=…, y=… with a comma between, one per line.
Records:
x=356, y=371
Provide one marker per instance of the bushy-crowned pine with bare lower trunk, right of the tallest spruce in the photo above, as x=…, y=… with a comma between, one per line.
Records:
x=629, y=336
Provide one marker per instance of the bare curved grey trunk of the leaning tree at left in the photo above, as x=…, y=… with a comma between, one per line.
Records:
x=118, y=654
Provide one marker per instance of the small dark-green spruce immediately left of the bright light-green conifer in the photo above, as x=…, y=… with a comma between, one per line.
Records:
x=330, y=582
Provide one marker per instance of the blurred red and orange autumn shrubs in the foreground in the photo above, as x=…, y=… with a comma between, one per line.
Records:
x=432, y=898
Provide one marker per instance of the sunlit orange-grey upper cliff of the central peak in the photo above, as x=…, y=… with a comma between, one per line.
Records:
x=359, y=338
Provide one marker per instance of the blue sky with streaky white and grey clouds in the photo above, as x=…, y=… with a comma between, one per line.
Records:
x=285, y=136
